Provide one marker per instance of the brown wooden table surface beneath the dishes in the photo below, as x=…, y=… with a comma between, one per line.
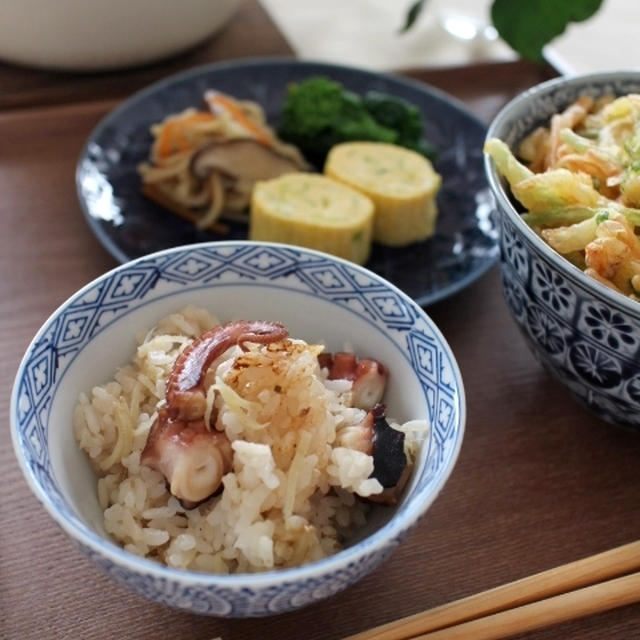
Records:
x=539, y=481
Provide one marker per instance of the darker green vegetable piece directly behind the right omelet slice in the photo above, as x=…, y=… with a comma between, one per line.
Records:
x=401, y=116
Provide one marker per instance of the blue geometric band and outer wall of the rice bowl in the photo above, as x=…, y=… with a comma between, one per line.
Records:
x=158, y=275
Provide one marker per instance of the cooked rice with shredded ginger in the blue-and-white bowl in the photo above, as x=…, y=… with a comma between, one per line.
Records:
x=292, y=494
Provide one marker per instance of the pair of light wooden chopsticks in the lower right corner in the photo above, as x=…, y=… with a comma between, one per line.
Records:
x=606, y=566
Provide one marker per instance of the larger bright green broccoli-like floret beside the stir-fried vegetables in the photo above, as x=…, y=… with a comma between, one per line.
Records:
x=318, y=114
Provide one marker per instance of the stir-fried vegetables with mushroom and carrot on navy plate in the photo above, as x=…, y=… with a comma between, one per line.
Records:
x=203, y=164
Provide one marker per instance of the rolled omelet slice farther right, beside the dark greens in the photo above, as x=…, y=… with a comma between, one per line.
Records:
x=401, y=183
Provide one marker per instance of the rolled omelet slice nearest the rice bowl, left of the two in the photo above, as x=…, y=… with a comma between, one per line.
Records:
x=313, y=211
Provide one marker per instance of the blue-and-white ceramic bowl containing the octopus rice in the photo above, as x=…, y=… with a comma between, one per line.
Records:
x=319, y=298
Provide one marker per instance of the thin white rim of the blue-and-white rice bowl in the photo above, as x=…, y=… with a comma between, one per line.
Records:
x=82, y=534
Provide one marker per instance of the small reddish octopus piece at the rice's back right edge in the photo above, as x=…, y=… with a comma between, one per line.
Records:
x=369, y=377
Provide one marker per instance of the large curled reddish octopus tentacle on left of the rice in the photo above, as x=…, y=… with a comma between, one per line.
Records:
x=192, y=457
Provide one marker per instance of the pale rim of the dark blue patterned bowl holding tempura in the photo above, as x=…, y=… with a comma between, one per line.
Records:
x=505, y=206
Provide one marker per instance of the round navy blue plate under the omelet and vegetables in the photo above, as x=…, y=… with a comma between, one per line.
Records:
x=130, y=226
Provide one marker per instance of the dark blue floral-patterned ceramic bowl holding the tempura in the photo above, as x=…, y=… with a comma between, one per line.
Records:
x=585, y=334
